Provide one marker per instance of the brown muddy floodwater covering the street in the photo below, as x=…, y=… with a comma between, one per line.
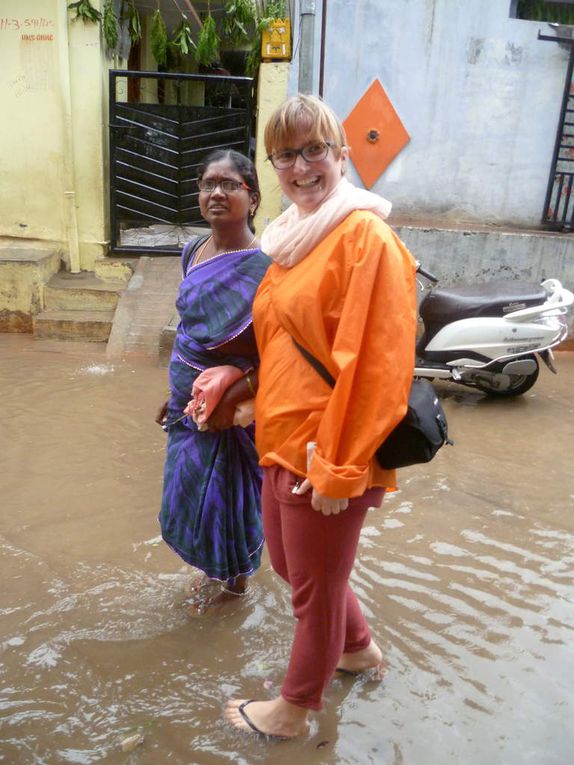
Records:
x=466, y=574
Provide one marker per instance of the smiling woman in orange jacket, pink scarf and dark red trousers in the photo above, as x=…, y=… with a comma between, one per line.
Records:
x=342, y=285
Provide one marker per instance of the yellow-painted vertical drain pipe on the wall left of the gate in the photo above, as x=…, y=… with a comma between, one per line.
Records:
x=68, y=141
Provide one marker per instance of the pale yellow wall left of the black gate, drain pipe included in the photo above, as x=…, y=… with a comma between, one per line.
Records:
x=54, y=130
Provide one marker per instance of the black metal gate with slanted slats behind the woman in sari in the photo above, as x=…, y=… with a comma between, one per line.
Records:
x=161, y=127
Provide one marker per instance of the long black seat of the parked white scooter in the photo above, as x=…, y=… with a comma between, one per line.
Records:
x=496, y=298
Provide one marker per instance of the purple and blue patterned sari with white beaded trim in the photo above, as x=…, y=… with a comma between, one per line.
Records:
x=211, y=510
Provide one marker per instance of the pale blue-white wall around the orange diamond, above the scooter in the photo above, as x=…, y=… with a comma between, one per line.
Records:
x=479, y=95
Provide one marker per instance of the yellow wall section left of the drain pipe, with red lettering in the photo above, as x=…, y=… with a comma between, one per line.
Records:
x=31, y=182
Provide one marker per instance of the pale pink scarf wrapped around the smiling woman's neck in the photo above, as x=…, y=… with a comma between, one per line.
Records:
x=292, y=236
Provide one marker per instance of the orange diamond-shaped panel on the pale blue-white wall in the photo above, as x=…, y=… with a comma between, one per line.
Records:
x=375, y=133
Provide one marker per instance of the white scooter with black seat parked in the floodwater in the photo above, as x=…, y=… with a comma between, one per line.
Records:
x=488, y=336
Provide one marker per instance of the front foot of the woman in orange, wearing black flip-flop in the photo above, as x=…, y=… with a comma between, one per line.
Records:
x=276, y=718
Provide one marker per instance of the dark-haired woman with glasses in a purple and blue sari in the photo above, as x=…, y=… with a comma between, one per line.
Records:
x=210, y=513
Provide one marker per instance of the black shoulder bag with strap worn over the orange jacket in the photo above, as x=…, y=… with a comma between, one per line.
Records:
x=418, y=436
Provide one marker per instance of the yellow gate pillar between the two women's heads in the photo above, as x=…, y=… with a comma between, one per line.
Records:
x=272, y=93
